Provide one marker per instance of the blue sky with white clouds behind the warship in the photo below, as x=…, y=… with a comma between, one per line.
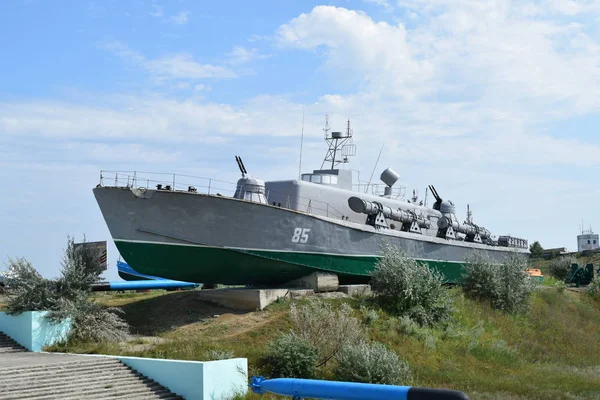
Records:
x=494, y=102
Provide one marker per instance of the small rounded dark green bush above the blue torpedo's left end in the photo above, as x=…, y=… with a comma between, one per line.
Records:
x=291, y=356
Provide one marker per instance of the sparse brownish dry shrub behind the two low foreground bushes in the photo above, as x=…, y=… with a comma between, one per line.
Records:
x=325, y=329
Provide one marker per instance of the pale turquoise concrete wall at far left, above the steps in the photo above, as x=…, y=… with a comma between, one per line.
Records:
x=32, y=331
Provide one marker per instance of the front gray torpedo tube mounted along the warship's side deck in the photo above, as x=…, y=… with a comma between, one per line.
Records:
x=377, y=215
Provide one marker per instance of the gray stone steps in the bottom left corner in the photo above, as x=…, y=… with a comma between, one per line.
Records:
x=25, y=375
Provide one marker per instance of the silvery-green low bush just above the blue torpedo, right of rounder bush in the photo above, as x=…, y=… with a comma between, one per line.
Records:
x=371, y=363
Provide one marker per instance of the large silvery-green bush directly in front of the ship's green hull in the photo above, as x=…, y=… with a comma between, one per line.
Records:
x=406, y=287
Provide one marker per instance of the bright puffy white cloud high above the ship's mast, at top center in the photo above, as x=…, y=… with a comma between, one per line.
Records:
x=377, y=53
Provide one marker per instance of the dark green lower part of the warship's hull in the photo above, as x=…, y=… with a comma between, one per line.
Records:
x=205, y=264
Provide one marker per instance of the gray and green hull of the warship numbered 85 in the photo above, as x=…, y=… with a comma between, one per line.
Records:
x=214, y=239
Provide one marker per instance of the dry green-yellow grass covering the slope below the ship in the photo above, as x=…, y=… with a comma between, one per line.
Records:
x=552, y=351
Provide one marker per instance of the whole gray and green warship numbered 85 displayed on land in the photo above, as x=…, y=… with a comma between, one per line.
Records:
x=270, y=233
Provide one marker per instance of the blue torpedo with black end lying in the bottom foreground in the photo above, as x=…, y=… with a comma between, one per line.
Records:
x=316, y=389
